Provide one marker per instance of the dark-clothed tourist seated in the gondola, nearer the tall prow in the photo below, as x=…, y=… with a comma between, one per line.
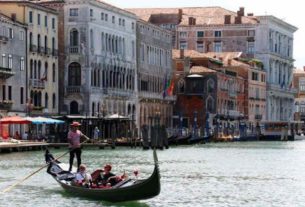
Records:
x=105, y=177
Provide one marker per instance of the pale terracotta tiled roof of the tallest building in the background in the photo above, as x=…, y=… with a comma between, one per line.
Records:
x=203, y=15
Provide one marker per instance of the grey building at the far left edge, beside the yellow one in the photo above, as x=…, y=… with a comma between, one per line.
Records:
x=12, y=66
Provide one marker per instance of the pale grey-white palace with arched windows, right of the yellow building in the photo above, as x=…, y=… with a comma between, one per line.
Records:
x=100, y=69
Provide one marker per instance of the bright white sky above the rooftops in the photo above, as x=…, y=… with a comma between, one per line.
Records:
x=290, y=11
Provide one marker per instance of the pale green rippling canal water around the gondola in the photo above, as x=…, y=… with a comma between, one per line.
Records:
x=216, y=174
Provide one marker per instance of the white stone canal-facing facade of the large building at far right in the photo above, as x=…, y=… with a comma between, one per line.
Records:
x=274, y=46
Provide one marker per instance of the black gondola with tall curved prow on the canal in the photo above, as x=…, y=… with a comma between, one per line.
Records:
x=126, y=190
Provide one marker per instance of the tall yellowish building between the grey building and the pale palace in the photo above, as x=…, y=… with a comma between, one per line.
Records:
x=42, y=53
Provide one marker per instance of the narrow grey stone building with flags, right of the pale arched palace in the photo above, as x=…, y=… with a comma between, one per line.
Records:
x=154, y=52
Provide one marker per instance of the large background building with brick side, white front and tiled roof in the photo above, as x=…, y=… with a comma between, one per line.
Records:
x=215, y=29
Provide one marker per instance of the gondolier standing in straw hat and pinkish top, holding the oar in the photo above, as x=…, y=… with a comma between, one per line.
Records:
x=74, y=136
